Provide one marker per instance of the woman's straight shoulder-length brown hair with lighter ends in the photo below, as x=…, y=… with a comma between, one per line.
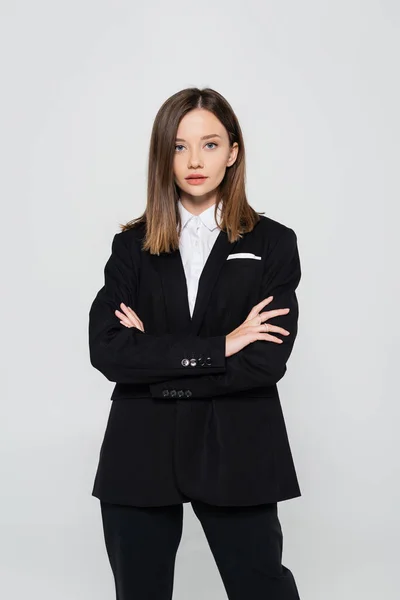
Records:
x=161, y=216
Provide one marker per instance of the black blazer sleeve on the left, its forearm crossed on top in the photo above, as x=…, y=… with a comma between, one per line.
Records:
x=129, y=355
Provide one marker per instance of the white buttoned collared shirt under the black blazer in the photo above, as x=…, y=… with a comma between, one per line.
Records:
x=198, y=236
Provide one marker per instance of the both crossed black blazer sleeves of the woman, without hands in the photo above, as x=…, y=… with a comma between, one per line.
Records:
x=128, y=355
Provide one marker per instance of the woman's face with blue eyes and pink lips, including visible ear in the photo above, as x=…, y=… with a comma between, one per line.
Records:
x=201, y=147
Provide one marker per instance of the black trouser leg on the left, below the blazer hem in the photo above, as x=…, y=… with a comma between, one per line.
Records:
x=141, y=544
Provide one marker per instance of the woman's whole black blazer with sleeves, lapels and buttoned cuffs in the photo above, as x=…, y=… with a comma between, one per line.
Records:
x=185, y=421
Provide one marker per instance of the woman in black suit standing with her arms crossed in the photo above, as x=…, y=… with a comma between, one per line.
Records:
x=195, y=324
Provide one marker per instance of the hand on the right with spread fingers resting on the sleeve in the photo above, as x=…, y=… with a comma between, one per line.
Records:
x=254, y=328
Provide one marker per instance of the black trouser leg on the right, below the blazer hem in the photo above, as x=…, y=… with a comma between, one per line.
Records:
x=247, y=545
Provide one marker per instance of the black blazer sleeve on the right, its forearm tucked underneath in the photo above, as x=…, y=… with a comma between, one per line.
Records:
x=261, y=363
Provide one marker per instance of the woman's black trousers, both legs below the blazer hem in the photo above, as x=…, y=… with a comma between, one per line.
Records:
x=246, y=543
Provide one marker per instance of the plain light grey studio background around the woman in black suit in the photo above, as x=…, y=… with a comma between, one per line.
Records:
x=316, y=89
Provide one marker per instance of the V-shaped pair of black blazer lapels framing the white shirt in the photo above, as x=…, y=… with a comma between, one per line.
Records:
x=172, y=274
